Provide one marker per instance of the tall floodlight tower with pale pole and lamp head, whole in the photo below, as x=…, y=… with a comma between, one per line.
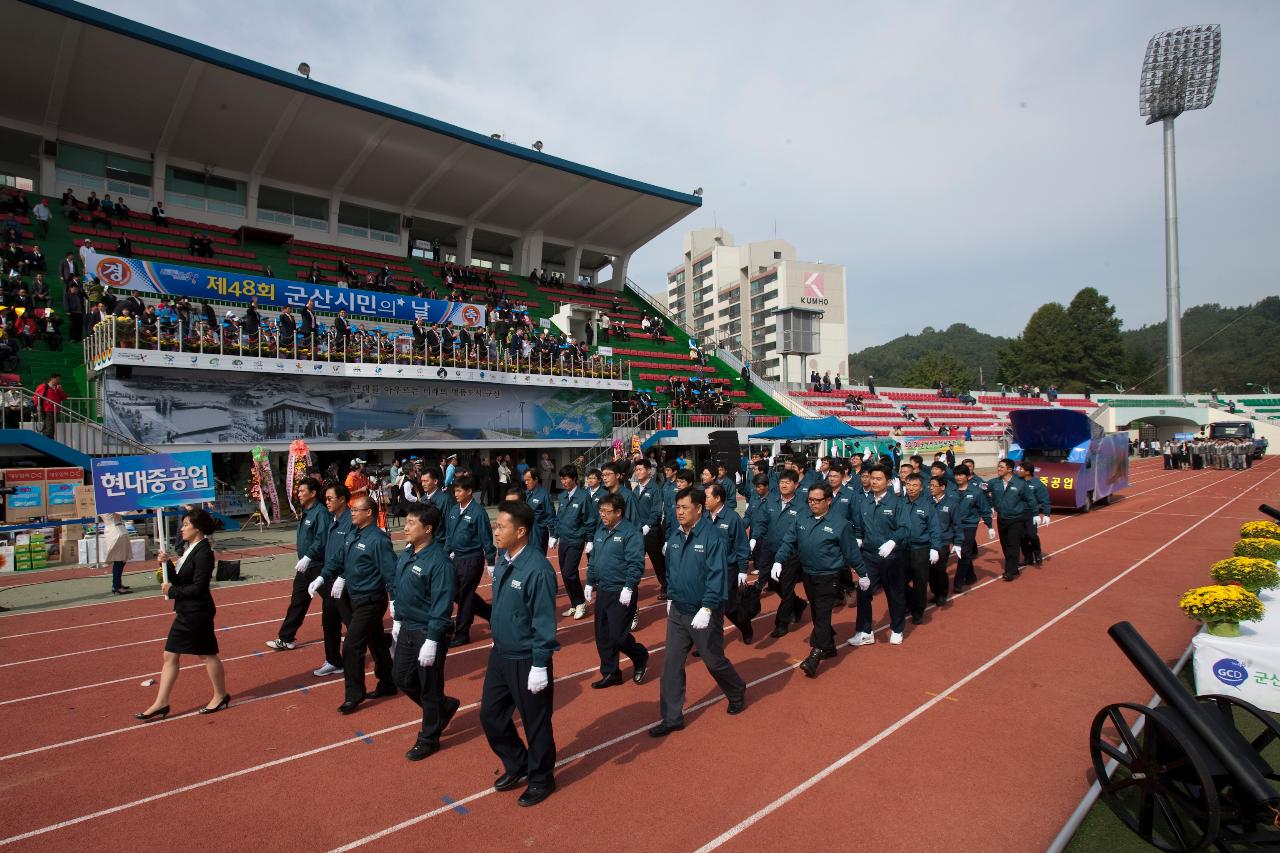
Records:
x=1180, y=74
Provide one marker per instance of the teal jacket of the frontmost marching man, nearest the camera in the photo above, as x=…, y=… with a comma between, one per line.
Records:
x=524, y=608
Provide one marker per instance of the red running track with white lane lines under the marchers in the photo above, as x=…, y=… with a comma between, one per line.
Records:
x=975, y=728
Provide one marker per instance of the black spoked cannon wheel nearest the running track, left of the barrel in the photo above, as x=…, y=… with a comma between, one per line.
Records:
x=1160, y=787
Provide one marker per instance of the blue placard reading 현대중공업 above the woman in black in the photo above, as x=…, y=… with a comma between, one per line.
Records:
x=127, y=483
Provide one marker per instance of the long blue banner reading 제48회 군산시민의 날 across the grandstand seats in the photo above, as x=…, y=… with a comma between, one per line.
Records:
x=156, y=277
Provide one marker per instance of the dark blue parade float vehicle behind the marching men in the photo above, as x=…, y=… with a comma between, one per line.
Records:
x=1075, y=458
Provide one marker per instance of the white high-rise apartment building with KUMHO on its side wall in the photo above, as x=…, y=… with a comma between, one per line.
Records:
x=729, y=294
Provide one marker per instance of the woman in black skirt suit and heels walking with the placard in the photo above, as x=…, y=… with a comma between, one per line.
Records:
x=193, y=631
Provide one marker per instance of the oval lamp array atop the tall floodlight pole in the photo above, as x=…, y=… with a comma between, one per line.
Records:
x=1180, y=72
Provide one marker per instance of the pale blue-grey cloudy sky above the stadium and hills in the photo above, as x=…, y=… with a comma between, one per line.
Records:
x=967, y=162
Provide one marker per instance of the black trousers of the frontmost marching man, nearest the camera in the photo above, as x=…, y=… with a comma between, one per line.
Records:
x=506, y=691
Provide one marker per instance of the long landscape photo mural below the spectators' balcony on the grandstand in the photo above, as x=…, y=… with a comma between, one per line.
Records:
x=159, y=407
